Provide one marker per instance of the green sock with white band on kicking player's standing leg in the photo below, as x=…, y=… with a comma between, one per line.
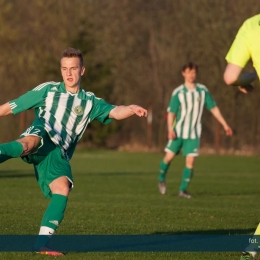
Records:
x=51, y=219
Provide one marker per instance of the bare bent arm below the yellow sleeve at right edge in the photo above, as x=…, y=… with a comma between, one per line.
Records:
x=233, y=77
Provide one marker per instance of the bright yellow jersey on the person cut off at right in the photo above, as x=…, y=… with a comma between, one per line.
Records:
x=246, y=45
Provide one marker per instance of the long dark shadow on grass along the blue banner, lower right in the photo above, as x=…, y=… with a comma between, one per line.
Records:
x=245, y=231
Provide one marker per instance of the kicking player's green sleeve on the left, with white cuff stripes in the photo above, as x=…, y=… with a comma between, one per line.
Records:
x=32, y=99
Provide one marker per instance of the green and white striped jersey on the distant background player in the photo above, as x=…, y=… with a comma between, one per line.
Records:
x=188, y=106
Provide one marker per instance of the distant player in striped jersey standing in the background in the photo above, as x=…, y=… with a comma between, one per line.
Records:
x=186, y=107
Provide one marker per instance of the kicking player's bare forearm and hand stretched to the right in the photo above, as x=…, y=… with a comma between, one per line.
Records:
x=122, y=112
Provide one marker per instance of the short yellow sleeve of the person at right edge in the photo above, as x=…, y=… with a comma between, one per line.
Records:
x=239, y=52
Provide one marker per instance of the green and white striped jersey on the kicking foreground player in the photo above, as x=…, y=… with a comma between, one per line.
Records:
x=64, y=115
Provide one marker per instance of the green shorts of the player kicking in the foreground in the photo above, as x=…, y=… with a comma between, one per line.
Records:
x=49, y=161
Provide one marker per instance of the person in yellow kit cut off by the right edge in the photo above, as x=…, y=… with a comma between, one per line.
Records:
x=246, y=46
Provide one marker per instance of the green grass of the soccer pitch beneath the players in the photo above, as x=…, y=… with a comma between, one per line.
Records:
x=116, y=193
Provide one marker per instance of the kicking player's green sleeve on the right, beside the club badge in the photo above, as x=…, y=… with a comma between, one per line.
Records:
x=101, y=110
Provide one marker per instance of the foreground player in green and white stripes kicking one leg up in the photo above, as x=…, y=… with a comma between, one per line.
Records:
x=63, y=111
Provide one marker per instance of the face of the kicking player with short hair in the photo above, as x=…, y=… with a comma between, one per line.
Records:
x=71, y=72
